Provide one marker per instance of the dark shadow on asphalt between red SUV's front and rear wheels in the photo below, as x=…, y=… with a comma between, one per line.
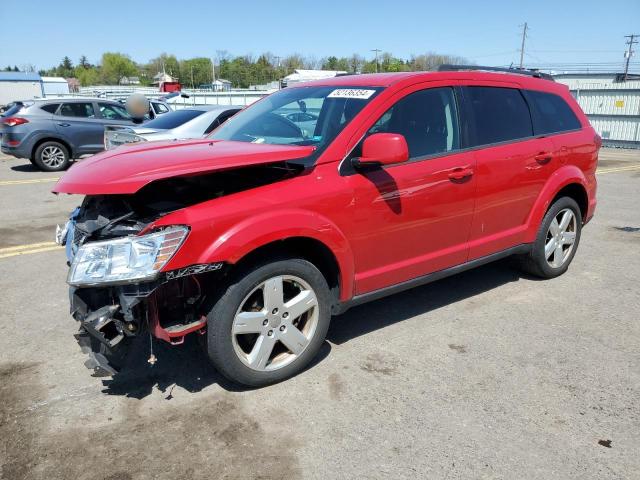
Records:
x=396, y=308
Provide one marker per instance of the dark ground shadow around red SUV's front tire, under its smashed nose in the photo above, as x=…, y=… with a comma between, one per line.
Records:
x=185, y=366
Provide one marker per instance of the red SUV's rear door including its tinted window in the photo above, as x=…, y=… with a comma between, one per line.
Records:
x=512, y=167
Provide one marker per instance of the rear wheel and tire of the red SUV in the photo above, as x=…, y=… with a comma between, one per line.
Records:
x=557, y=240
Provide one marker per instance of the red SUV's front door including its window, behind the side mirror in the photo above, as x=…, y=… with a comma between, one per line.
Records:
x=414, y=218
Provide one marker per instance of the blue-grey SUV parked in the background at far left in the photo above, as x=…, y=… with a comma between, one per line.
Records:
x=52, y=132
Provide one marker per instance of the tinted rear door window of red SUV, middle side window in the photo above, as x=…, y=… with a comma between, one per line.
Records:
x=500, y=114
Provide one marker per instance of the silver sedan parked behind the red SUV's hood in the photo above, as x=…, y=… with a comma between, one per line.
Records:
x=192, y=122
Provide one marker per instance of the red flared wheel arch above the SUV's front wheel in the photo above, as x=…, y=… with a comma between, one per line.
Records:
x=259, y=230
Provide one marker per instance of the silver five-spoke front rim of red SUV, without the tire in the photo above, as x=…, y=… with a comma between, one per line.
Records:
x=275, y=323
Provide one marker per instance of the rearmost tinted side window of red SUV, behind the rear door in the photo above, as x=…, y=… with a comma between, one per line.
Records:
x=550, y=113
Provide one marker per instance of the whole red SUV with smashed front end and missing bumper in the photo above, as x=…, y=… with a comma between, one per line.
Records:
x=255, y=236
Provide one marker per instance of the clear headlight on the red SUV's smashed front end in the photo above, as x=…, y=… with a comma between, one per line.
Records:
x=125, y=259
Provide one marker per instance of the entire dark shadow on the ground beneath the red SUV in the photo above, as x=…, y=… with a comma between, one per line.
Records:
x=188, y=367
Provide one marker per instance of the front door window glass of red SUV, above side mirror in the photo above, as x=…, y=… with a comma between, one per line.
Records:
x=427, y=119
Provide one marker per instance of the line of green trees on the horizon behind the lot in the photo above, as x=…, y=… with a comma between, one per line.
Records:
x=242, y=71
